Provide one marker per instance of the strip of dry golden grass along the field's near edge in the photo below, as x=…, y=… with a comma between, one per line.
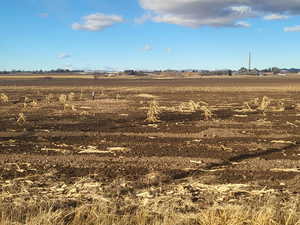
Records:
x=102, y=213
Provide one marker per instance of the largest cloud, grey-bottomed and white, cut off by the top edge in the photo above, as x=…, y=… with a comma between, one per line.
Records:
x=218, y=13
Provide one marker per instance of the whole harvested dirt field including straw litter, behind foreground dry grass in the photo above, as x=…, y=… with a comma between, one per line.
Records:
x=78, y=150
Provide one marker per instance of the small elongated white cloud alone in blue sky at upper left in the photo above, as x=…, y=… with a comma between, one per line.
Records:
x=97, y=21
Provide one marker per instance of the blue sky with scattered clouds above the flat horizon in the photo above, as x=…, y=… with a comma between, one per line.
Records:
x=148, y=34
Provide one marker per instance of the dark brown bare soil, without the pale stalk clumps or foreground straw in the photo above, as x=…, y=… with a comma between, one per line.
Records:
x=182, y=145
